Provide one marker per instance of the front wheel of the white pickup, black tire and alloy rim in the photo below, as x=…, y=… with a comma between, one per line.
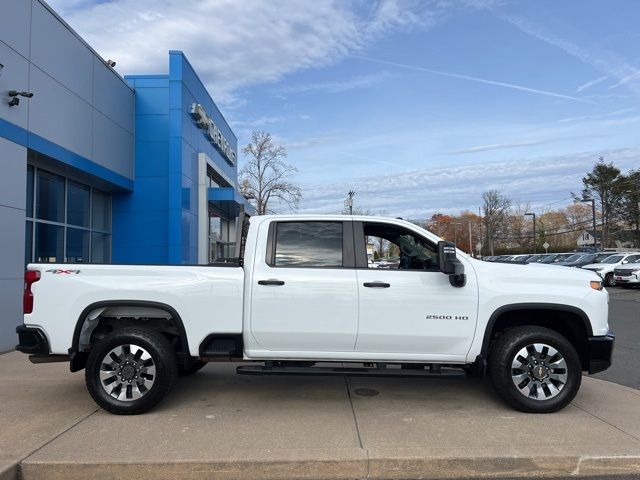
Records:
x=506, y=349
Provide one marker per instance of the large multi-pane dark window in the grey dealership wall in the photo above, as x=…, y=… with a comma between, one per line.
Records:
x=67, y=221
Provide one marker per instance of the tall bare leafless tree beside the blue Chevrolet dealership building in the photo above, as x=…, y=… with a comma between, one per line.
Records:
x=266, y=175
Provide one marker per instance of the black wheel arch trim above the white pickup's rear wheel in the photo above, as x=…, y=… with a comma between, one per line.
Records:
x=78, y=357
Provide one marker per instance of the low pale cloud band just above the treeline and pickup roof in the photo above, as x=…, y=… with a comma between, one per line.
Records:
x=417, y=194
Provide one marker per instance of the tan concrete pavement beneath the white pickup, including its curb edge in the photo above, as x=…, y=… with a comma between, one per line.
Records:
x=219, y=425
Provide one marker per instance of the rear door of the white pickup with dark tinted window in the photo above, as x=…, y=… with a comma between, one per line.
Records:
x=304, y=290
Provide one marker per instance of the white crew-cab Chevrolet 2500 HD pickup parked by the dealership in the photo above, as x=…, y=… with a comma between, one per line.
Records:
x=301, y=292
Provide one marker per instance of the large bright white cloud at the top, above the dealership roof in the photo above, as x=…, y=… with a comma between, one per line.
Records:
x=234, y=44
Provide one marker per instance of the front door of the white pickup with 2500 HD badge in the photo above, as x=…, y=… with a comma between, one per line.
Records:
x=406, y=304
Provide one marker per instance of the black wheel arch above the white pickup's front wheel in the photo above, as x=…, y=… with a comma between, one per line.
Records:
x=571, y=322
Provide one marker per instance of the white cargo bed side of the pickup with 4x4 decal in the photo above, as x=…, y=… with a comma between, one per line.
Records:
x=195, y=292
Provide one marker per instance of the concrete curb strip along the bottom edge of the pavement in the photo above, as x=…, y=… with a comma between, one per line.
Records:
x=374, y=468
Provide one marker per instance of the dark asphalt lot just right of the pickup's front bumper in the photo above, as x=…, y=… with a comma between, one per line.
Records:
x=624, y=320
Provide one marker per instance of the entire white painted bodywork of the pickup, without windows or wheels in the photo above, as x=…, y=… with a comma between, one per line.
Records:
x=320, y=314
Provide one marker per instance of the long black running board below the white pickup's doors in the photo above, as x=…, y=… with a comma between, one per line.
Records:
x=351, y=372
